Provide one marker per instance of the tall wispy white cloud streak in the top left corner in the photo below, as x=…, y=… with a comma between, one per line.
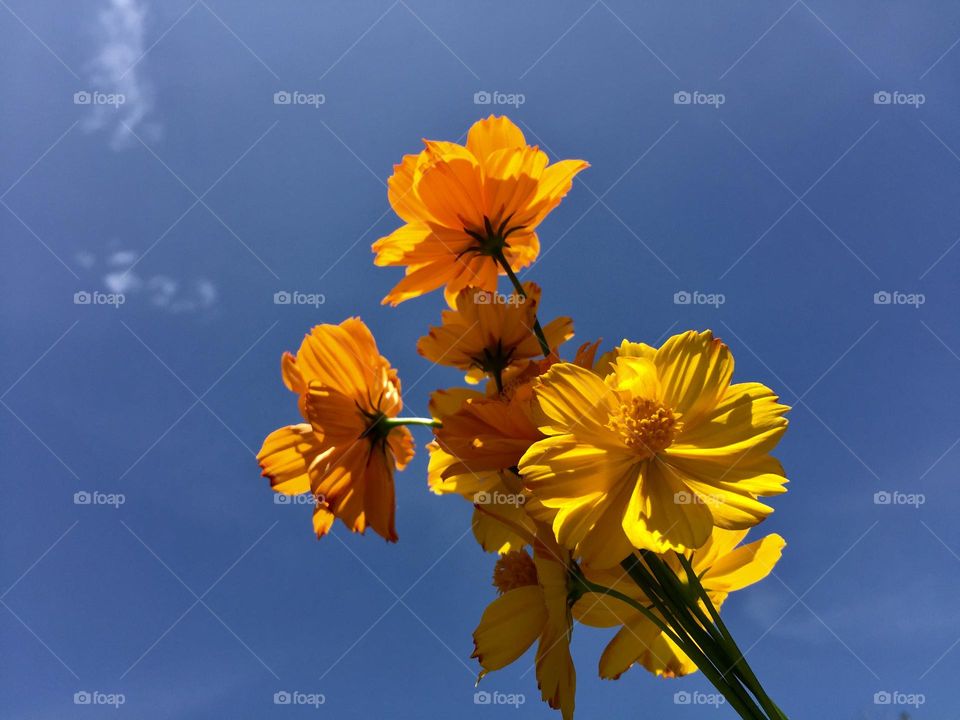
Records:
x=126, y=98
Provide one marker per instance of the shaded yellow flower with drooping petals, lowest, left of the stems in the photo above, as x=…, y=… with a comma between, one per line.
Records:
x=532, y=607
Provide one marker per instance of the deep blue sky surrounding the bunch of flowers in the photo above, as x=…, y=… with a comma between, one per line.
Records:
x=794, y=192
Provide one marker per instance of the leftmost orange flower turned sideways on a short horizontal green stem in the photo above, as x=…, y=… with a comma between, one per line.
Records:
x=347, y=450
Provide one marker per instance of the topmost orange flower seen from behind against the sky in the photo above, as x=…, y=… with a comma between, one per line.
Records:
x=465, y=207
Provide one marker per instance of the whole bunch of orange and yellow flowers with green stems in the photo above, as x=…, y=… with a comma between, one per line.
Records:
x=616, y=488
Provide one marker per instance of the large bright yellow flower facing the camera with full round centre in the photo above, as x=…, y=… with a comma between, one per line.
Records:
x=657, y=452
